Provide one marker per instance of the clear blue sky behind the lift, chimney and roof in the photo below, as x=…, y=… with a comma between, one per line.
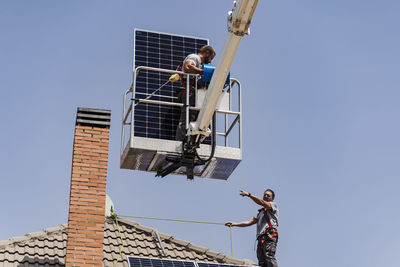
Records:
x=320, y=122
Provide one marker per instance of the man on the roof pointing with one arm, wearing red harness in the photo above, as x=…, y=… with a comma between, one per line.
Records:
x=267, y=223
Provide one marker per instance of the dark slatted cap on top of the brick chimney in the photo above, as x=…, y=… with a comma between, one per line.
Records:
x=93, y=117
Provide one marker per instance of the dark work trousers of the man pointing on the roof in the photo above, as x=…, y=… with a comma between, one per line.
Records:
x=266, y=249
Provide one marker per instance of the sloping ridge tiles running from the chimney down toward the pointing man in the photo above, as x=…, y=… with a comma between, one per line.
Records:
x=181, y=242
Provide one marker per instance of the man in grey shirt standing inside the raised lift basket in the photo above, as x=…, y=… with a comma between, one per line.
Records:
x=192, y=64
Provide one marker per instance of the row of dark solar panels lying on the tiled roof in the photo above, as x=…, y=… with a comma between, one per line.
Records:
x=153, y=262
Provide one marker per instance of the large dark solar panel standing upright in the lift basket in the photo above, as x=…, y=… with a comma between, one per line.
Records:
x=166, y=51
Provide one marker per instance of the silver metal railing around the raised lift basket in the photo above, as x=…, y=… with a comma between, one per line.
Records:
x=129, y=109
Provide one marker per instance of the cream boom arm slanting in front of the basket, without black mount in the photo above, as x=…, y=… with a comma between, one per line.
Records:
x=239, y=20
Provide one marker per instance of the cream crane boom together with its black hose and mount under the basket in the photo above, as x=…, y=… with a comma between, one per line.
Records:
x=239, y=19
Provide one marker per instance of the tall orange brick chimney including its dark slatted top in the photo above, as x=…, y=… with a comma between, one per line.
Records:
x=88, y=188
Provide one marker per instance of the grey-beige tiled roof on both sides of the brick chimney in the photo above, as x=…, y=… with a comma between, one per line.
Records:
x=47, y=248
